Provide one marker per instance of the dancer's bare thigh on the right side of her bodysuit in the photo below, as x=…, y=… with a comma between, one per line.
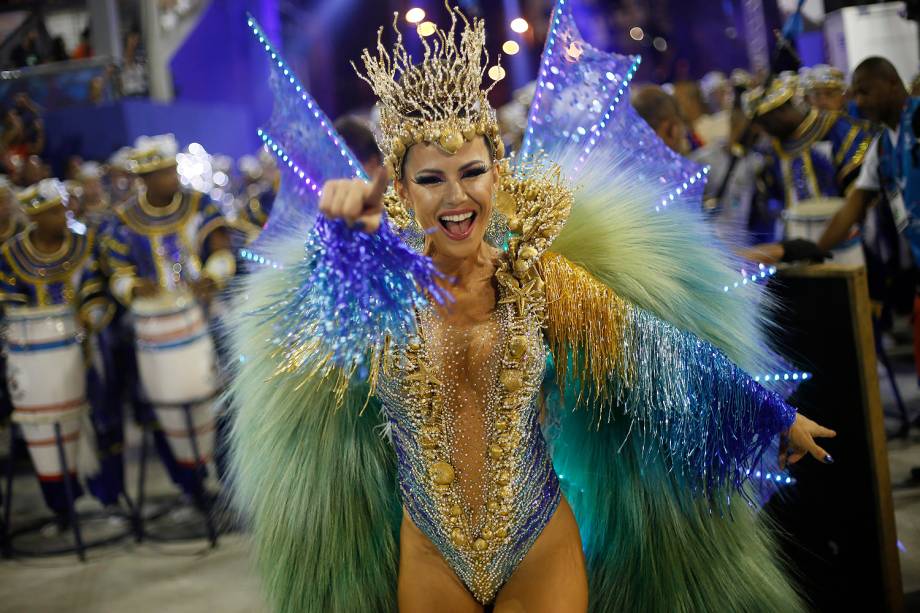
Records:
x=552, y=576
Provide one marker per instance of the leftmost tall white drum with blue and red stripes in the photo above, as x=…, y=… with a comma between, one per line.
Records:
x=46, y=374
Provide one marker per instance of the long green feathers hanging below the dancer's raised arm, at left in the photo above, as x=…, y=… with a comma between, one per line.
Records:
x=311, y=472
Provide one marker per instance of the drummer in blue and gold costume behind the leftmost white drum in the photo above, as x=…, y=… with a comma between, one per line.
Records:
x=51, y=265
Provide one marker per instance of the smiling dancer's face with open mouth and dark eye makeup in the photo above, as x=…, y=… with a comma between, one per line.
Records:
x=451, y=195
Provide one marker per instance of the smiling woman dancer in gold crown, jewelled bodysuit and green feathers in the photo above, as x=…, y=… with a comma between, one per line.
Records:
x=535, y=403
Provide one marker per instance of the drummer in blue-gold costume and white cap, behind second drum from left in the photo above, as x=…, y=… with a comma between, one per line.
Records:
x=167, y=239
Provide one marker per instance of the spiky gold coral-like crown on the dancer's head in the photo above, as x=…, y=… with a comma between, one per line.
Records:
x=439, y=100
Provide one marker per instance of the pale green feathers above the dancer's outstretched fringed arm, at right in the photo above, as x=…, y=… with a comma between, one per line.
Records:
x=667, y=262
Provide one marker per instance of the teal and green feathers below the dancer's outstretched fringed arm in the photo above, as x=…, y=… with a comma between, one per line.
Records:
x=650, y=543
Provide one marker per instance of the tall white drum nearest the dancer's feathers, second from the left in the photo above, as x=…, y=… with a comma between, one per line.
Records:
x=178, y=370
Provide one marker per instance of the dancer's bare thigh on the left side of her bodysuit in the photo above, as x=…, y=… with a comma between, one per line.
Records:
x=426, y=582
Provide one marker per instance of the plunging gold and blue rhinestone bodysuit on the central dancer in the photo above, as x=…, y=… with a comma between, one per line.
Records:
x=474, y=469
